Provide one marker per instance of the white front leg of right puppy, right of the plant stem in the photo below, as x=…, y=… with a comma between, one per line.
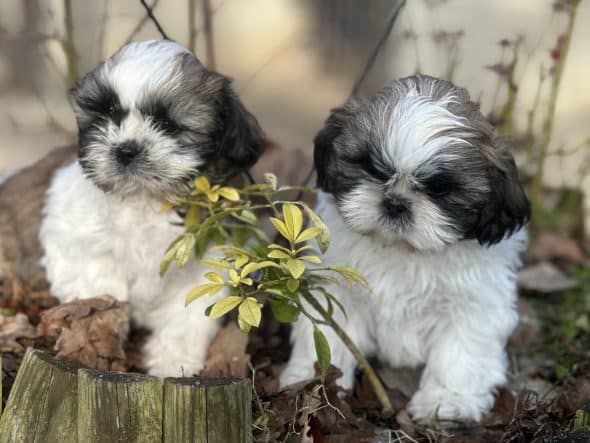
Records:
x=465, y=364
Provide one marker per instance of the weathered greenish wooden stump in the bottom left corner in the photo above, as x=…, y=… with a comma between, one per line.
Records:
x=55, y=401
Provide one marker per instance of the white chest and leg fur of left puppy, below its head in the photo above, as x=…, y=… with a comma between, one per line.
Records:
x=97, y=243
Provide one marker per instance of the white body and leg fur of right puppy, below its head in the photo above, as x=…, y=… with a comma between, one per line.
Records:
x=451, y=310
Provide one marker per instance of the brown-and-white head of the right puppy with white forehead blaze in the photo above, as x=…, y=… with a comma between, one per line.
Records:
x=419, y=163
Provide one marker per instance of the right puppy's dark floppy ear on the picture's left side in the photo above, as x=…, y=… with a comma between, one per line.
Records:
x=323, y=152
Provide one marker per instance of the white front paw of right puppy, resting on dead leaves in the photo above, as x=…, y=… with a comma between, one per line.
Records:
x=434, y=402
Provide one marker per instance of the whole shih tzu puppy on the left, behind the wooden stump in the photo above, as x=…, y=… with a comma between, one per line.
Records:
x=151, y=118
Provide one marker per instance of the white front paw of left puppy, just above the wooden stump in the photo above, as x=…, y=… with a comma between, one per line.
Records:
x=161, y=361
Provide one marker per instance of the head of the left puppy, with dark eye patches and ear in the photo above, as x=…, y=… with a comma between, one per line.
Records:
x=151, y=118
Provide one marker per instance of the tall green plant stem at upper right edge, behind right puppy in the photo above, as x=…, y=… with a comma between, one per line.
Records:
x=537, y=182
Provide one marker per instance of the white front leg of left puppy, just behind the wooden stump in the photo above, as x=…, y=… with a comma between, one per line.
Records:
x=180, y=335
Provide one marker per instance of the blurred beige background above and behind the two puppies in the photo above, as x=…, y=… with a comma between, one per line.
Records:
x=525, y=61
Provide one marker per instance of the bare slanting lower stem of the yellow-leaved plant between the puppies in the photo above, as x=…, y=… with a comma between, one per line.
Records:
x=360, y=358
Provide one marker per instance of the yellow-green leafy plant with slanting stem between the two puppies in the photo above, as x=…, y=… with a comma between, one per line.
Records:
x=253, y=269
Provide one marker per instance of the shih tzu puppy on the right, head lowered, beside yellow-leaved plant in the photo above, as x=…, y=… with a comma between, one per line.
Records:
x=424, y=200
